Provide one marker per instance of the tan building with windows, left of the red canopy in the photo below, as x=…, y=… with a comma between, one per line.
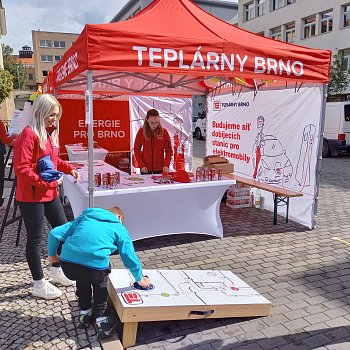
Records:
x=49, y=47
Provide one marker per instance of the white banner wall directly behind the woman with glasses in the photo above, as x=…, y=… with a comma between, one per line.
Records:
x=176, y=118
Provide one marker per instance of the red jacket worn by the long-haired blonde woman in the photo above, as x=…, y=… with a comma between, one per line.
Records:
x=26, y=153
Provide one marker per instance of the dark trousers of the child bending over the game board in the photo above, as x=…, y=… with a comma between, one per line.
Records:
x=91, y=284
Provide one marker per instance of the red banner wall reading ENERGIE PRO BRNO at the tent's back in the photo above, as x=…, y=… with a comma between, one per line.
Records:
x=111, y=124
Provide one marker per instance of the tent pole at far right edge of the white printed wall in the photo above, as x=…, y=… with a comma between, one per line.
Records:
x=319, y=154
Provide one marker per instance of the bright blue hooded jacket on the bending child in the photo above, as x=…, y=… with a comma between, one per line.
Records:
x=91, y=238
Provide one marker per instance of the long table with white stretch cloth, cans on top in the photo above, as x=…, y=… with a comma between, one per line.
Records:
x=154, y=209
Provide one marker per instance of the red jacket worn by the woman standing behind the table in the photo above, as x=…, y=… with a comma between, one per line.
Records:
x=150, y=153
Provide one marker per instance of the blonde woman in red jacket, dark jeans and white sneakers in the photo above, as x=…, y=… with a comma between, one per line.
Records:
x=38, y=198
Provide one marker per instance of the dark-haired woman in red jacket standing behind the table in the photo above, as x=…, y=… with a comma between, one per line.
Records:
x=152, y=145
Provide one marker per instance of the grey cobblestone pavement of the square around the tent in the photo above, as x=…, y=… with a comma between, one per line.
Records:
x=305, y=274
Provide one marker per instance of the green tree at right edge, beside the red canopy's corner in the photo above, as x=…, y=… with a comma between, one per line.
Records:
x=339, y=78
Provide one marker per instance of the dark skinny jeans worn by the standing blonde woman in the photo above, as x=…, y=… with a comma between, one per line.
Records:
x=33, y=214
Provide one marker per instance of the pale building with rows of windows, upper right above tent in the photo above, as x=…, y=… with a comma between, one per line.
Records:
x=320, y=24
